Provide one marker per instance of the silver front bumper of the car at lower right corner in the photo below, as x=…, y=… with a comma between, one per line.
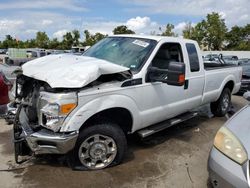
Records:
x=223, y=172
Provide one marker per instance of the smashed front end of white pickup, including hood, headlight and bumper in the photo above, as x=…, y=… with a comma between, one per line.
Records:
x=47, y=92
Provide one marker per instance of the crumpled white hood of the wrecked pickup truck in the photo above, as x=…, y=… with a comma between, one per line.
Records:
x=69, y=71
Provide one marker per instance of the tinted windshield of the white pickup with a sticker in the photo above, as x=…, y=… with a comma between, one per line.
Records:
x=124, y=51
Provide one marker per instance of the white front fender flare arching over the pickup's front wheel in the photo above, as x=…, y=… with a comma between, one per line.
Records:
x=83, y=113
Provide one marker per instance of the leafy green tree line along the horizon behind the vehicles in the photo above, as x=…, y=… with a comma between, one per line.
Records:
x=211, y=34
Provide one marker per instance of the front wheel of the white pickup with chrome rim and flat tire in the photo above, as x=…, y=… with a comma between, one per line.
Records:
x=99, y=146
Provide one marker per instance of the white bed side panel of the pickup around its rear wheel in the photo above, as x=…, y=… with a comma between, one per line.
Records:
x=215, y=81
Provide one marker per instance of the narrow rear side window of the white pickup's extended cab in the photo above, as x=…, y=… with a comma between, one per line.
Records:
x=193, y=57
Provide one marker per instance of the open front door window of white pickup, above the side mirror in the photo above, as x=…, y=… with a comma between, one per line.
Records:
x=168, y=52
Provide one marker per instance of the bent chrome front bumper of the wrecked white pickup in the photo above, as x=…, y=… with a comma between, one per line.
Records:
x=45, y=141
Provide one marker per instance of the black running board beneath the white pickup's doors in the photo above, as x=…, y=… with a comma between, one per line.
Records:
x=166, y=124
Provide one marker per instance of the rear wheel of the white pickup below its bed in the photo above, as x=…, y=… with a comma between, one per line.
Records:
x=222, y=105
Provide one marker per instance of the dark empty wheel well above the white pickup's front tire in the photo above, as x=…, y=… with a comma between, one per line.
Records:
x=120, y=116
